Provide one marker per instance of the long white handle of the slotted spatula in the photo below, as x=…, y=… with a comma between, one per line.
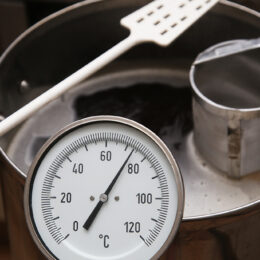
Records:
x=66, y=84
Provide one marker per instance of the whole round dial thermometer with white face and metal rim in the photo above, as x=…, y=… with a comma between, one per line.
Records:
x=104, y=187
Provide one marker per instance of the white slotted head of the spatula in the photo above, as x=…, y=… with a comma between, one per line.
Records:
x=162, y=21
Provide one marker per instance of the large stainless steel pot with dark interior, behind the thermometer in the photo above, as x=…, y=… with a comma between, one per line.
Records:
x=221, y=218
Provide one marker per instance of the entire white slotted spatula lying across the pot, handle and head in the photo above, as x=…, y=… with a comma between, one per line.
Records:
x=161, y=22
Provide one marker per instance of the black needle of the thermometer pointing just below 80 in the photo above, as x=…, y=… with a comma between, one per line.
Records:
x=104, y=196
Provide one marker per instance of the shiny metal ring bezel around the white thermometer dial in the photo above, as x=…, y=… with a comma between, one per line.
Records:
x=81, y=123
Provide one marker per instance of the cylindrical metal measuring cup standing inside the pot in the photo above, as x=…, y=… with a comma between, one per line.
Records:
x=226, y=106
